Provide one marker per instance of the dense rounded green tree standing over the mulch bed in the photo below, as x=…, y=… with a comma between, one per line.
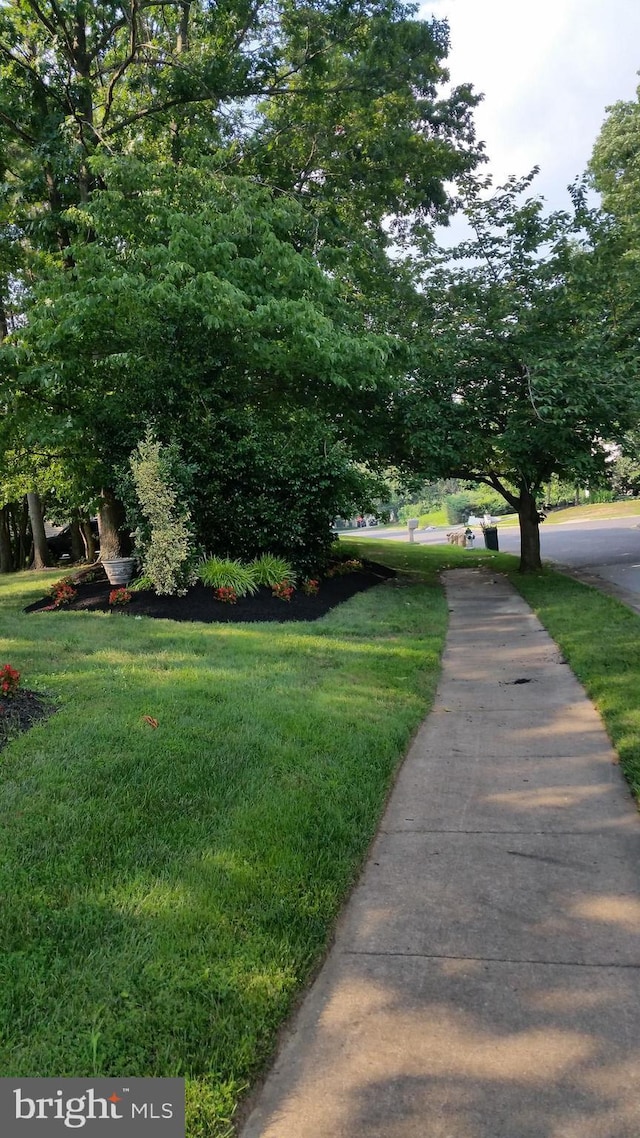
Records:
x=199, y=308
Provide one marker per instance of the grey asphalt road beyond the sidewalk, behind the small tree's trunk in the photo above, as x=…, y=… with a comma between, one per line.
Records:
x=601, y=551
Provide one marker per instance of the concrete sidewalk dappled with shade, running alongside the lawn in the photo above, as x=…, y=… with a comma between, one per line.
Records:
x=486, y=977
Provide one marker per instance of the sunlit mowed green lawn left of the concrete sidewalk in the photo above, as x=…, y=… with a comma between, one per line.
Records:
x=169, y=890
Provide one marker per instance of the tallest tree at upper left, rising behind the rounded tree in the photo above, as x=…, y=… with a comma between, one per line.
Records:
x=334, y=104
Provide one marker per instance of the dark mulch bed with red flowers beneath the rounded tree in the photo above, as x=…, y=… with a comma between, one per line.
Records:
x=200, y=604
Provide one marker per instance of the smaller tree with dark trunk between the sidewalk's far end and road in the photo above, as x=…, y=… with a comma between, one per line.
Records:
x=520, y=369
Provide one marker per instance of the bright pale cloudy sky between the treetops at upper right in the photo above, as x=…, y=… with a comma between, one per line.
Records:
x=548, y=70
